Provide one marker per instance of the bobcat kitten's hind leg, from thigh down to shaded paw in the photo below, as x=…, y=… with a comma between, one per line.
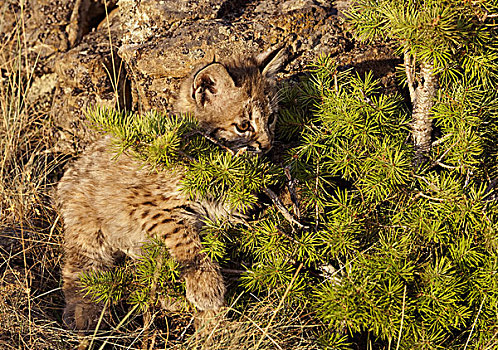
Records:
x=81, y=312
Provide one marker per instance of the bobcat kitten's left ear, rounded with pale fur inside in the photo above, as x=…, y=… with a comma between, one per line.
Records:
x=210, y=84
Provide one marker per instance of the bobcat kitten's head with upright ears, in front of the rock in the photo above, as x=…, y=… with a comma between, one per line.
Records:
x=235, y=101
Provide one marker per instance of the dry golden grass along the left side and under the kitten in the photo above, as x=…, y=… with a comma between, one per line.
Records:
x=31, y=300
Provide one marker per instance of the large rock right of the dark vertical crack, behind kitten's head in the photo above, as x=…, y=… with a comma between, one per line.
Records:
x=175, y=42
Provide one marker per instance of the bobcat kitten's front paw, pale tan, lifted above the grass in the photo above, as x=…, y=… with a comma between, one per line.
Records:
x=205, y=287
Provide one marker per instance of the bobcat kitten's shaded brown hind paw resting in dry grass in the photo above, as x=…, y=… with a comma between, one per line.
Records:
x=84, y=316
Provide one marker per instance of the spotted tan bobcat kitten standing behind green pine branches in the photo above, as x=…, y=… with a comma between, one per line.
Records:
x=113, y=205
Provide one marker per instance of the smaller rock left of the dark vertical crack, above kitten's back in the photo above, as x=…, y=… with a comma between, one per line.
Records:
x=90, y=74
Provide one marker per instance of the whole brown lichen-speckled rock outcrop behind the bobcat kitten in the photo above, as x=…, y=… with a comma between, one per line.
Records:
x=156, y=43
